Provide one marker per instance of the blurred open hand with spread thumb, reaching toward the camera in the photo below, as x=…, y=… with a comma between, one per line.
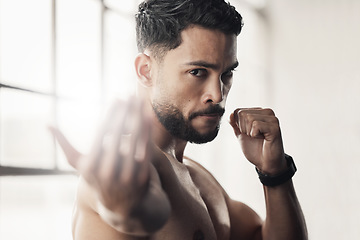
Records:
x=119, y=164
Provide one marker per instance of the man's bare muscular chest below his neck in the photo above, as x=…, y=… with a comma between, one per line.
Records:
x=199, y=210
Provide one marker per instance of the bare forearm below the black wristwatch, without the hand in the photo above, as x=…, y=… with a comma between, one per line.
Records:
x=284, y=217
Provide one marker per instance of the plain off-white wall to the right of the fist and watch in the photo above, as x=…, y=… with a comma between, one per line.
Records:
x=315, y=63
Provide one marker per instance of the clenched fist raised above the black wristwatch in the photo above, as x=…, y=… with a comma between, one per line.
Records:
x=259, y=134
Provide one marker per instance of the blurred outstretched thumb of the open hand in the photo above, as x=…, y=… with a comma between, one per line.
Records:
x=71, y=154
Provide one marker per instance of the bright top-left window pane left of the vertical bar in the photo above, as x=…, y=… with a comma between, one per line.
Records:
x=25, y=45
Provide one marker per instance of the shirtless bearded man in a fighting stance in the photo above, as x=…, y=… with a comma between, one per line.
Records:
x=136, y=184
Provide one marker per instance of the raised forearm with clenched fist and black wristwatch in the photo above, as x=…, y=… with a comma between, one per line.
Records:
x=259, y=133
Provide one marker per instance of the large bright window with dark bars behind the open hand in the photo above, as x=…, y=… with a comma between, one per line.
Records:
x=60, y=63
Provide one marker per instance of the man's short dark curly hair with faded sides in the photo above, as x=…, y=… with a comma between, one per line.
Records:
x=159, y=22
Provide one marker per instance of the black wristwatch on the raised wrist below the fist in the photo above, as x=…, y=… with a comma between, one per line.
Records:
x=275, y=180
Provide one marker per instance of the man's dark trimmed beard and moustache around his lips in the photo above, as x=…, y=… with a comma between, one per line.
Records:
x=178, y=126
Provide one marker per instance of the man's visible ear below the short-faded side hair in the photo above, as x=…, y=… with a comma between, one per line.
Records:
x=143, y=69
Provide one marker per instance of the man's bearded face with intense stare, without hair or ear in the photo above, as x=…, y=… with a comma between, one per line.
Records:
x=192, y=83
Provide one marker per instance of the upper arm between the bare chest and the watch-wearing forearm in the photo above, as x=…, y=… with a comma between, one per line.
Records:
x=245, y=223
